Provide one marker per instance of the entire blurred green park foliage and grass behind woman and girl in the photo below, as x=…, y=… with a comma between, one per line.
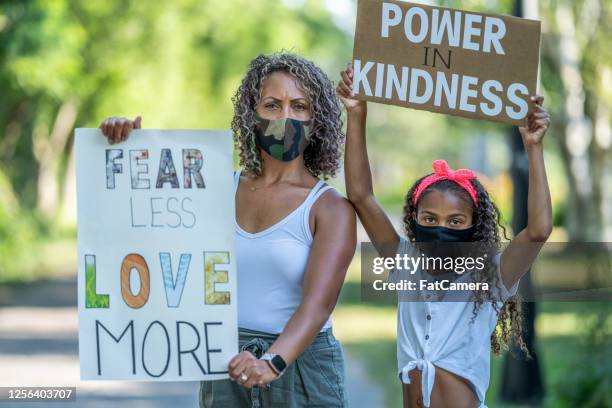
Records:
x=68, y=63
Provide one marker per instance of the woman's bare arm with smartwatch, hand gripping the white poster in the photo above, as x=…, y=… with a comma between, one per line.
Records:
x=332, y=249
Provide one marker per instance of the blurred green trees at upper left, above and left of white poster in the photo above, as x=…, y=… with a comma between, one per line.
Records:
x=178, y=63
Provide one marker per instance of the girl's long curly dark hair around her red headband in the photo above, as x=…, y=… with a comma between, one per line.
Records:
x=487, y=218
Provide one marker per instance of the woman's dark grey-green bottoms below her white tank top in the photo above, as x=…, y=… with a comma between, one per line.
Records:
x=315, y=379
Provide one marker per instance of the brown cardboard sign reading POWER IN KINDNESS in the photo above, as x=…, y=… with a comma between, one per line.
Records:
x=444, y=60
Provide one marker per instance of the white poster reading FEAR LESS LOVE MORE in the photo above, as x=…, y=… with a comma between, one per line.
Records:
x=156, y=264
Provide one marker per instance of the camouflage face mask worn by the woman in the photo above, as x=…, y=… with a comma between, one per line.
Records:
x=284, y=139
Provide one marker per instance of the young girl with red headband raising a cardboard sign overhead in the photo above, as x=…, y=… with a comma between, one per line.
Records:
x=443, y=348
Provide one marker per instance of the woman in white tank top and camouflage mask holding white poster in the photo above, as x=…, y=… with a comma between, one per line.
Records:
x=295, y=237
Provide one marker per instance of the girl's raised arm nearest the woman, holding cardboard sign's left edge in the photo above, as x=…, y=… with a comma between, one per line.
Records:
x=357, y=172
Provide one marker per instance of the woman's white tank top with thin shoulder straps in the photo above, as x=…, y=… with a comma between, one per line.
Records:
x=270, y=266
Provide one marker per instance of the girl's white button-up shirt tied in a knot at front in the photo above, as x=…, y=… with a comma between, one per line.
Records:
x=440, y=333
